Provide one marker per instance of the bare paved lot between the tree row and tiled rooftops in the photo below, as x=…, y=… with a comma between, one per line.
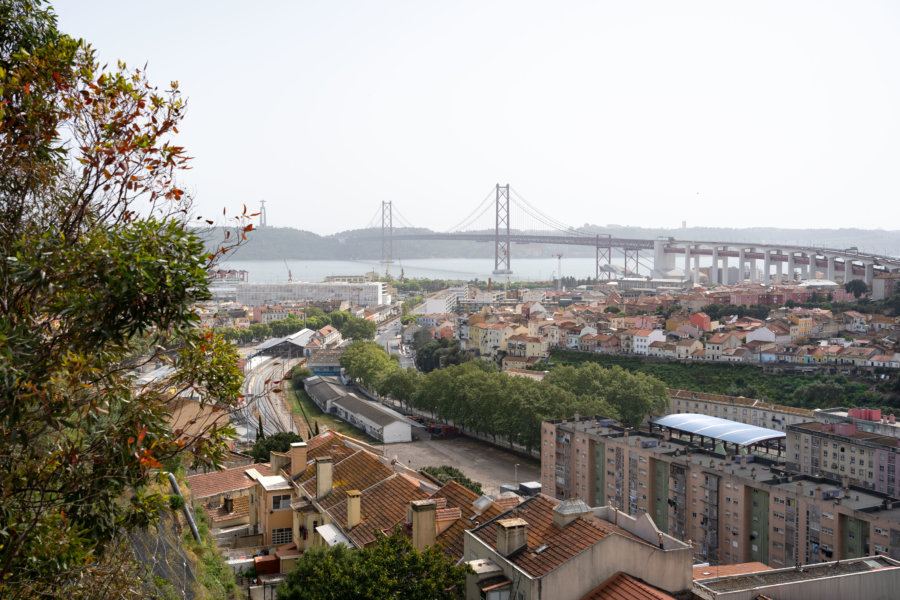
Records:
x=489, y=466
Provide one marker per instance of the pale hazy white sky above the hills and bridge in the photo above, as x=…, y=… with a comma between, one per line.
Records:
x=641, y=113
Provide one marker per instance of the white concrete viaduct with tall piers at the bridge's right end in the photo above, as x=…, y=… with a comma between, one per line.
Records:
x=755, y=262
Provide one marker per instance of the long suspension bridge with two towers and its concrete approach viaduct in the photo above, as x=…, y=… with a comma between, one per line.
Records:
x=516, y=221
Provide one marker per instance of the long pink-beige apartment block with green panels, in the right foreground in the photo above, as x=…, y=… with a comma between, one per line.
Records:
x=732, y=508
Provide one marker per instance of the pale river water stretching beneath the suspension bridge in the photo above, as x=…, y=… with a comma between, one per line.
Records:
x=465, y=269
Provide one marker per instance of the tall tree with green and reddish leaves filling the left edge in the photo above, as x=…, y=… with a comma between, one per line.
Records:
x=95, y=252
